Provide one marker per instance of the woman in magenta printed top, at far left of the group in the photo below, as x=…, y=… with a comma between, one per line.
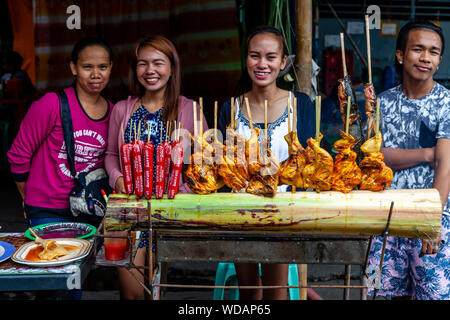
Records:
x=38, y=156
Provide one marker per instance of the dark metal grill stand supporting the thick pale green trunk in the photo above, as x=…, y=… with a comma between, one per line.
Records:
x=219, y=246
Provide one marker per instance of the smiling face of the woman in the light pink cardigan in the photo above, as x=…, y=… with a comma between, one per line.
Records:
x=153, y=69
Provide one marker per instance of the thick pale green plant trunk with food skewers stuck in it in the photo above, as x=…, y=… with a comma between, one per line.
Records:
x=417, y=212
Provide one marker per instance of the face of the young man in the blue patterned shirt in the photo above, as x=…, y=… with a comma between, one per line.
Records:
x=422, y=55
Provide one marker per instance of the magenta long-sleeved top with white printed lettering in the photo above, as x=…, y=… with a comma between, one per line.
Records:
x=39, y=150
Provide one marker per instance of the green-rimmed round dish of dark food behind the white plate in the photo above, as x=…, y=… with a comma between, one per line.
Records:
x=62, y=230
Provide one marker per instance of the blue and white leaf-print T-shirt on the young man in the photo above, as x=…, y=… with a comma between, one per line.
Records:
x=414, y=124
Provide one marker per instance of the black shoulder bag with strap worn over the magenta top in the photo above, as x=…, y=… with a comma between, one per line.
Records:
x=86, y=197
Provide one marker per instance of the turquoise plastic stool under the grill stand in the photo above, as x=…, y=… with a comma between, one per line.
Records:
x=226, y=270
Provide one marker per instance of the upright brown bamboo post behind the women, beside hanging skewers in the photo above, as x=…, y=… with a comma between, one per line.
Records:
x=303, y=12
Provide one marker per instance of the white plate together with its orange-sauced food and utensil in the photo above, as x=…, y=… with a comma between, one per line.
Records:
x=52, y=252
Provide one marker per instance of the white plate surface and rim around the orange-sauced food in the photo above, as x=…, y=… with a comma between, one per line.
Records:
x=74, y=255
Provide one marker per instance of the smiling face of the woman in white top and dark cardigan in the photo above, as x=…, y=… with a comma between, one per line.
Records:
x=265, y=59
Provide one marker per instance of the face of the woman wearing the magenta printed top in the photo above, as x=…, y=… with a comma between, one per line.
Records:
x=92, y=69
